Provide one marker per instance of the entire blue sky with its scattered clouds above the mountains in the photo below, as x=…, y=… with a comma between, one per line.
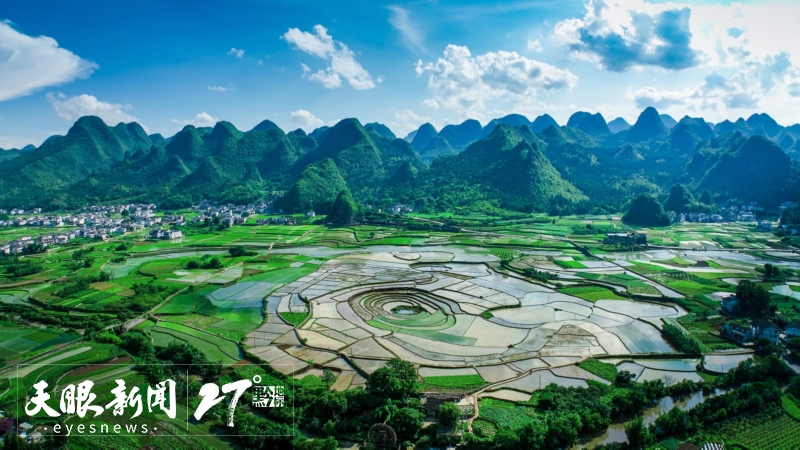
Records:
x=305, y=63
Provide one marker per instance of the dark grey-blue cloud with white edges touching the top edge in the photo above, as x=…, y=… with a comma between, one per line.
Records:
x=621, y=34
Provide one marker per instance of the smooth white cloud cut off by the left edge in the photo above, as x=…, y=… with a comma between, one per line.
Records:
x=28, y=64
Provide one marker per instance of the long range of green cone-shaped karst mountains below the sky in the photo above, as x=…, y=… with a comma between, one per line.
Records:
x=511, y=163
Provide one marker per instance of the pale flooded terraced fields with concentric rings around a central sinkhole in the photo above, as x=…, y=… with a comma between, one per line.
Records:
x=371, y=307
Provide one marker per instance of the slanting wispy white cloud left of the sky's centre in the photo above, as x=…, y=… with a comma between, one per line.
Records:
x=341, y=60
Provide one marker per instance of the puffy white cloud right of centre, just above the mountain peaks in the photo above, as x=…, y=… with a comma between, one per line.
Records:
x=463, y=83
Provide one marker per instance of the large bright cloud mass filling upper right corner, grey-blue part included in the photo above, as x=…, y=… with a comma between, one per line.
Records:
x=742, y=58
